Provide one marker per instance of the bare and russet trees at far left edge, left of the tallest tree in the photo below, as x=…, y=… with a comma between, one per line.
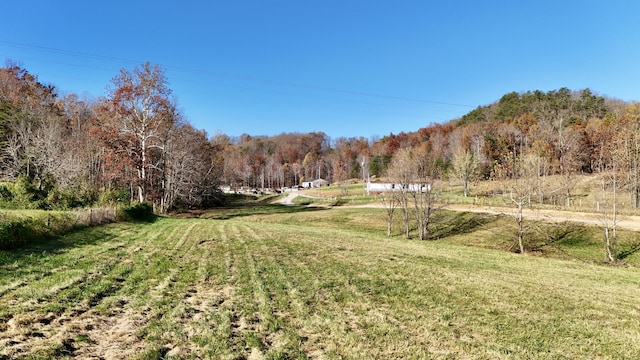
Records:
x=36, y=143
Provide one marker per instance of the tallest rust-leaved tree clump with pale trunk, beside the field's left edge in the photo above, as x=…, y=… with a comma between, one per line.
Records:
x=147, y=148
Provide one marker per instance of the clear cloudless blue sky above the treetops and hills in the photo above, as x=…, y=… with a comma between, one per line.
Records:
x=344, y=67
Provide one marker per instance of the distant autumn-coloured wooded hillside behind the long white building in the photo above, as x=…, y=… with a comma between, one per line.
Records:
x=559, y=132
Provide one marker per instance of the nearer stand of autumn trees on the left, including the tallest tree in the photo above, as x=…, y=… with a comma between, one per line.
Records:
x=131, y=145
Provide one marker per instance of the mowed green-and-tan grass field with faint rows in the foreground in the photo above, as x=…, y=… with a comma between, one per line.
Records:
x=305, y=283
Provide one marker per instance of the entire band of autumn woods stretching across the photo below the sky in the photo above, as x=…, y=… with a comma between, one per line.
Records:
x=134, y=145
